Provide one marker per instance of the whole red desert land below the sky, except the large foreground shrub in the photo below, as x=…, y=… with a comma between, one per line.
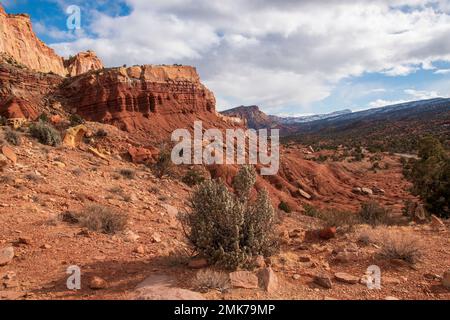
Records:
x=86, y=181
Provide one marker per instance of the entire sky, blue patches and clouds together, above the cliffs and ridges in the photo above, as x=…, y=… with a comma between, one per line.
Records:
x=289, y=57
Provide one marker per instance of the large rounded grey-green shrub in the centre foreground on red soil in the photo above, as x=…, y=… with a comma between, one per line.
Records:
x=227, y=229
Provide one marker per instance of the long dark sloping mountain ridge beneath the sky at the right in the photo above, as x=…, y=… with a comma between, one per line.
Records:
x=395, y=128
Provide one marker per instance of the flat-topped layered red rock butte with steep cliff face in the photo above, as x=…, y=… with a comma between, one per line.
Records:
x=152, y=99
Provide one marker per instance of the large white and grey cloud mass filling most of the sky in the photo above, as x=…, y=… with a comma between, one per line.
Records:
x=274, y=53
